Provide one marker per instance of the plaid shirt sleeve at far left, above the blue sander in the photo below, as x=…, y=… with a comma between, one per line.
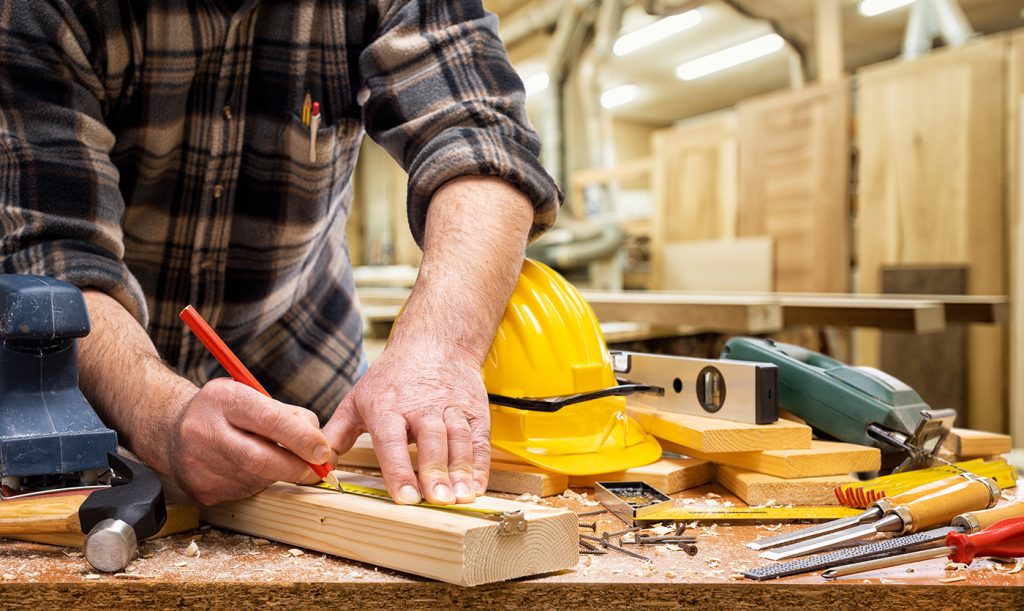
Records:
x=61, y=207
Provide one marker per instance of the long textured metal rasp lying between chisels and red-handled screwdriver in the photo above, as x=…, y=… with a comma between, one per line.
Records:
x=969, y=522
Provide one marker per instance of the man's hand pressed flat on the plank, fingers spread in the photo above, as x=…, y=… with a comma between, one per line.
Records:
x=428, y=396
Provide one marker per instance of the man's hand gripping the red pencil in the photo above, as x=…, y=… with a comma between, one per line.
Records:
x=231, y=442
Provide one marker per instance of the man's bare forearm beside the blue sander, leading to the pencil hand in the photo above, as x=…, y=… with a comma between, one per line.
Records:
x=125, y=380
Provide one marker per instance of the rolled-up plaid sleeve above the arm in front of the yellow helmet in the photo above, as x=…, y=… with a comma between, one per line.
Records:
x=445, y=103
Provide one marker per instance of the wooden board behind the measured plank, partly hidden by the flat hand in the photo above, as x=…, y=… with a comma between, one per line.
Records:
x=505, y=475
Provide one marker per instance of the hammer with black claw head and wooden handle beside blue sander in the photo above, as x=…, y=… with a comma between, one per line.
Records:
x=114, y=519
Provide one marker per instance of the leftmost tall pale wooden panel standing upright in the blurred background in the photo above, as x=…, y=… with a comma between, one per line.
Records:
x=695, y=185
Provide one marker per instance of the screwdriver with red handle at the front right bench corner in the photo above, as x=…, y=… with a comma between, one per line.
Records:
x=1005, y=539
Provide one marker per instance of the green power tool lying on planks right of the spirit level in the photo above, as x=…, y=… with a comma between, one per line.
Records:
x=860, y=406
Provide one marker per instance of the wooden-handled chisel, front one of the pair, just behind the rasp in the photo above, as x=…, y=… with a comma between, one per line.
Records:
x=926, y=512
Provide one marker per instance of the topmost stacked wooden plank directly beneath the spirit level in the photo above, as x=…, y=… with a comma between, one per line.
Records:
x=711, y=435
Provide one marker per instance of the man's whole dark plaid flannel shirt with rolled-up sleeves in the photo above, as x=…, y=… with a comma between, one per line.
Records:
x=156, y=151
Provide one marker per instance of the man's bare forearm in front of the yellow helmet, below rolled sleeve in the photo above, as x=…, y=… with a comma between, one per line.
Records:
x=474, y=246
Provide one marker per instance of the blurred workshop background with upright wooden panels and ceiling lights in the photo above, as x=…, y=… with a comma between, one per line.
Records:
x=764, y=147
